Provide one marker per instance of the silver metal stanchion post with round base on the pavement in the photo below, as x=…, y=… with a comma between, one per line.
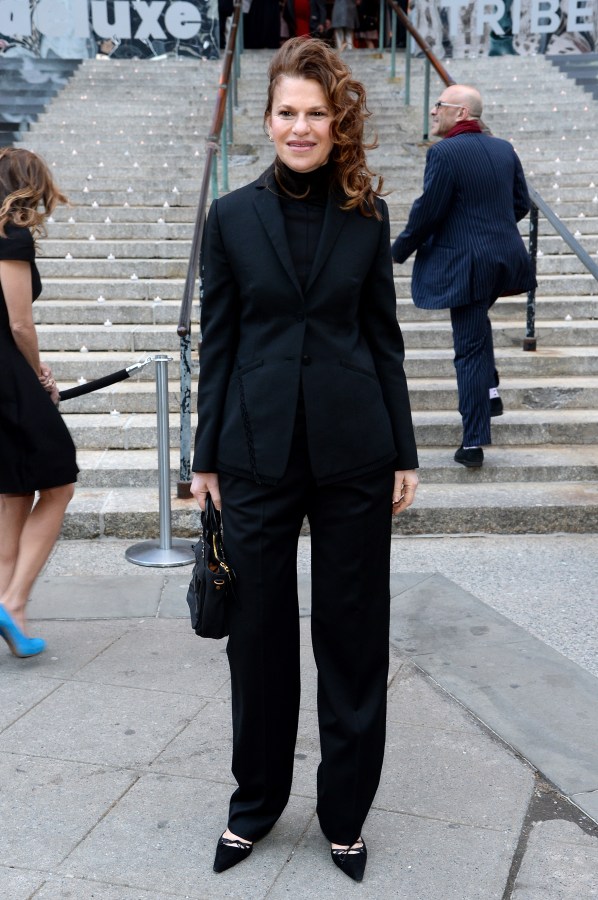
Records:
x=167, y=551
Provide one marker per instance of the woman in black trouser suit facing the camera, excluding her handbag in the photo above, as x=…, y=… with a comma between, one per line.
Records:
x=303, y=411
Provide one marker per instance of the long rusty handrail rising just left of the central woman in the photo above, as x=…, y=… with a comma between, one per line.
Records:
x=218, y=127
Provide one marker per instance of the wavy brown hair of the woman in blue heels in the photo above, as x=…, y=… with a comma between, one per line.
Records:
x=25, y=185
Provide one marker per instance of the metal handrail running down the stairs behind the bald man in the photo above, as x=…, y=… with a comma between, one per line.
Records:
x=538, y=204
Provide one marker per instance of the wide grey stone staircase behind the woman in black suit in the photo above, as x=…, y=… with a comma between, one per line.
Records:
x=126, y=140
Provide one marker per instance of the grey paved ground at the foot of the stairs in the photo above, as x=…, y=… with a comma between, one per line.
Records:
x=115, y=744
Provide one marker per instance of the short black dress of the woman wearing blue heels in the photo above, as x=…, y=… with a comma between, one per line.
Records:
x=36, y=449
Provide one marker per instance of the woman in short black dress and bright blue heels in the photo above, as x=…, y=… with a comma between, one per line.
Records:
x=36, y=449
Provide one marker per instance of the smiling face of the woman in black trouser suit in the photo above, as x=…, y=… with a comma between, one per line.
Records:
x=299, y=124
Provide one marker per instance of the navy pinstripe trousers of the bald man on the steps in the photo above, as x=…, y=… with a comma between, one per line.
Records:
x=475, y=368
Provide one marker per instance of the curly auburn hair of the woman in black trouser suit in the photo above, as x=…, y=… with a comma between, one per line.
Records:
x=310, y=58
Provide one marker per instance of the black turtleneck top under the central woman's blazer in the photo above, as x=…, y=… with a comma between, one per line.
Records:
x=303, y=213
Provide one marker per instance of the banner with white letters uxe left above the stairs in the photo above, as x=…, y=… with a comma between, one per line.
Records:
x=79, y=29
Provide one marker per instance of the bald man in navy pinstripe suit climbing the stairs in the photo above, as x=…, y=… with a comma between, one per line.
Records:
x=469, y=250
